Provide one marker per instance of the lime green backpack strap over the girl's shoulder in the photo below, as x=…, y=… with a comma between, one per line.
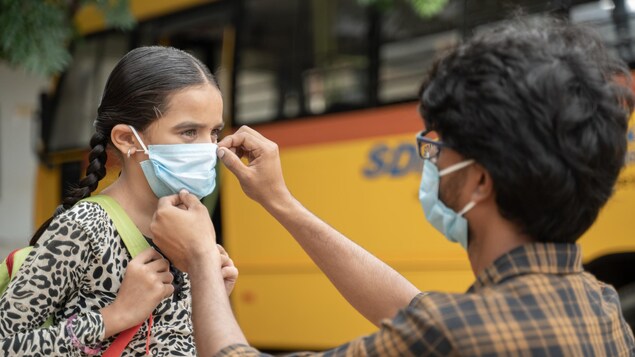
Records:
x=132, y=237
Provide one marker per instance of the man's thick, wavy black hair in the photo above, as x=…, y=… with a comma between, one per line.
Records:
x=544, y=109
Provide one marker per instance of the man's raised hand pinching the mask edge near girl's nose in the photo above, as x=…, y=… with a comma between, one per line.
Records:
x=261, y=179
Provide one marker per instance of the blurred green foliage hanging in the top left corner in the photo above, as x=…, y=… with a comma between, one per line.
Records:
x=35, y=34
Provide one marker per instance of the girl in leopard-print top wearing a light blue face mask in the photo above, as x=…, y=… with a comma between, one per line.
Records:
x=160, y=113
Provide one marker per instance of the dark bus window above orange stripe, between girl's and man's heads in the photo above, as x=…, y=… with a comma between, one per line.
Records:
x=311, y=60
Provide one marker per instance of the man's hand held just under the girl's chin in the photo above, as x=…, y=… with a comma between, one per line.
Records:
x=183, y=231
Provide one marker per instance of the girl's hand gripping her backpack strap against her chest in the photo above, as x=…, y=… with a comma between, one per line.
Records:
x=146, y=282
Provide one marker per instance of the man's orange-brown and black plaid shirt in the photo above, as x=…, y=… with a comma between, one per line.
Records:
x=536, y=300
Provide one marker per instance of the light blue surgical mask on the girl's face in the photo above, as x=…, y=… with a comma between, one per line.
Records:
x=171, y=168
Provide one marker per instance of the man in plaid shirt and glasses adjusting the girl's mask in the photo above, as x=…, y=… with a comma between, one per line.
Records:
x=525, y=137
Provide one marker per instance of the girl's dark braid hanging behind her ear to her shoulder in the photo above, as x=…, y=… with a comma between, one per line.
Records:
x=94, y=173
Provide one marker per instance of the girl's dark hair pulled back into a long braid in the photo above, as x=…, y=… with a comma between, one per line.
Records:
x=138, y=90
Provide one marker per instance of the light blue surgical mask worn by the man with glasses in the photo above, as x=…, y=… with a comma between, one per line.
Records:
x=452, y=224
